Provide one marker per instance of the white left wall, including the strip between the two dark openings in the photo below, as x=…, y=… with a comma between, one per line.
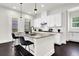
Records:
x=6, y=16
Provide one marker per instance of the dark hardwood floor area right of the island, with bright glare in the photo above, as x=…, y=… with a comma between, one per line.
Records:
x=69, y=49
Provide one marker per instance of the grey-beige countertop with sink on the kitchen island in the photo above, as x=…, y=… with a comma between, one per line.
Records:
x=36, y=35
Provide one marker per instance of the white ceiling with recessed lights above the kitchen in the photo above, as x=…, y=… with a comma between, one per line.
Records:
x=29, y=7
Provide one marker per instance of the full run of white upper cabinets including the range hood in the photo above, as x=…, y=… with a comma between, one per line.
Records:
x=50, y=20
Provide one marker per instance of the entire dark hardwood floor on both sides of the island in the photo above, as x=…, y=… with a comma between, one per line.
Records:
x=69, y=49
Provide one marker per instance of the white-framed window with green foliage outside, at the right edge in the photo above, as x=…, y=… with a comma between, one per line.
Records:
x=73, y=20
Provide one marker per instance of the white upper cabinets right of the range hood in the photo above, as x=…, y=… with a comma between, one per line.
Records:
x=54, y=20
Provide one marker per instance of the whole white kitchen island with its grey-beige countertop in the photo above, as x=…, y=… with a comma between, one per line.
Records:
x=43, y=43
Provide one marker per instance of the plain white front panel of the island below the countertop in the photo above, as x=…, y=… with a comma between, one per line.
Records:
x=44, y=46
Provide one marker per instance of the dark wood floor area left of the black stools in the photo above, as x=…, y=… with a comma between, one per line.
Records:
x=6, y=49
